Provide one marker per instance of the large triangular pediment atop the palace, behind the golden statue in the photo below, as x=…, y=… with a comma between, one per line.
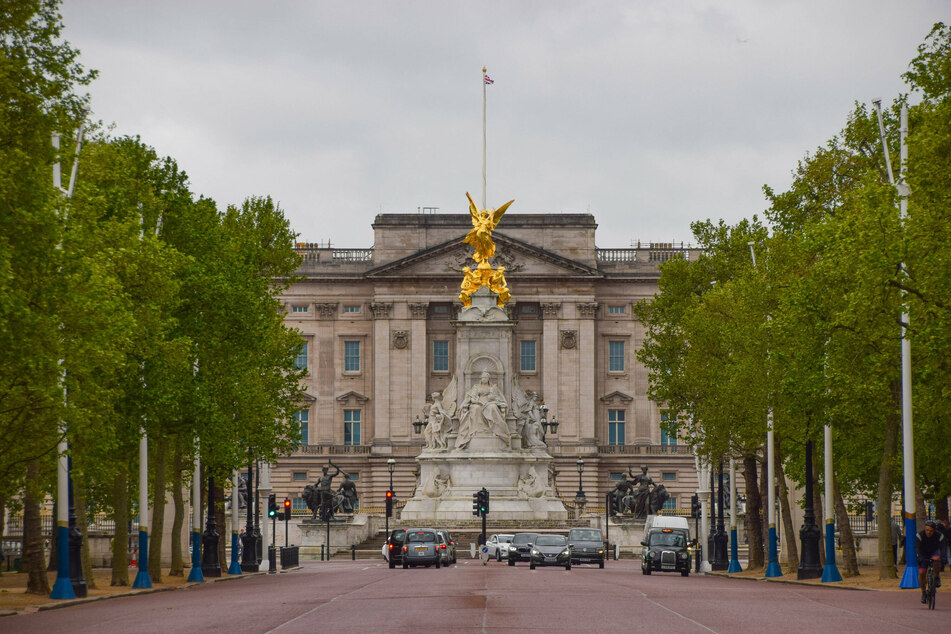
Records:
x=520, y=259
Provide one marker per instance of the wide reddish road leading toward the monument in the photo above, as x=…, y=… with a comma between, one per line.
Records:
x=366, y=596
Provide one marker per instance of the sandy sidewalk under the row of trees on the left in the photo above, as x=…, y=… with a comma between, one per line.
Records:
x=15, y=600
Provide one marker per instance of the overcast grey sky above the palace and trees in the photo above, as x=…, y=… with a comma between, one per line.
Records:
x=648, y=114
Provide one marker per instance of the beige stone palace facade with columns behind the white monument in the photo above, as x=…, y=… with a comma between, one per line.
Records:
x=378, y=325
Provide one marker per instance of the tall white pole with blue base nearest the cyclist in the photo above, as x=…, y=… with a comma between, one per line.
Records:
x=910, y=576
